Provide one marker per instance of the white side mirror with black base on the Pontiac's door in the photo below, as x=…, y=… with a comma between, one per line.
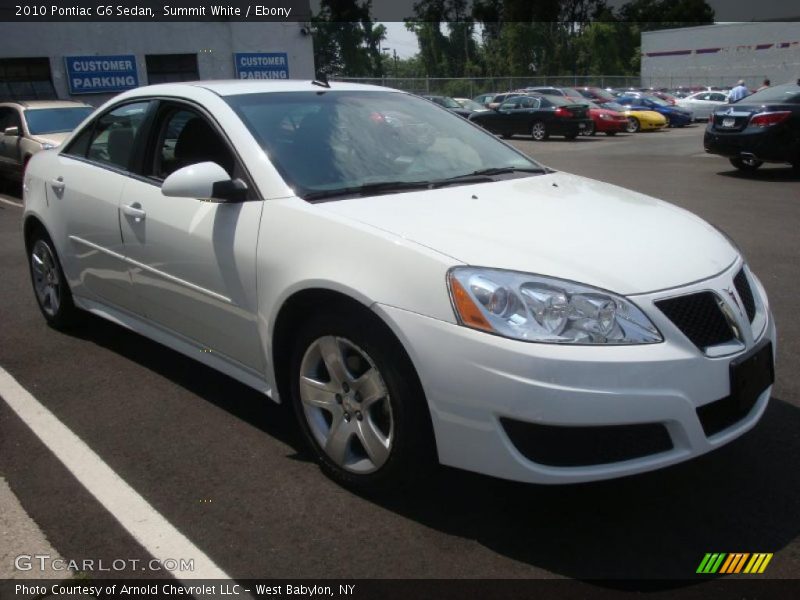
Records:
x=204, y=181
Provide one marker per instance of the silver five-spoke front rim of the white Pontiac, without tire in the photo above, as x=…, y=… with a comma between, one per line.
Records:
x=346, y=404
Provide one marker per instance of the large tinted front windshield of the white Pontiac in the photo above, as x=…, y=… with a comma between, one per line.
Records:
x=339, y=141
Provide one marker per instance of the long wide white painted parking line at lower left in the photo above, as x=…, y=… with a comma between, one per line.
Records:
x=157, y=535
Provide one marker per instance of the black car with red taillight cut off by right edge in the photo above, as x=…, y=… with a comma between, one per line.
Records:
x=763, y=127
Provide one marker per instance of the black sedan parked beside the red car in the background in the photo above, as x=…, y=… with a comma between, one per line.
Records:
x=536, y=116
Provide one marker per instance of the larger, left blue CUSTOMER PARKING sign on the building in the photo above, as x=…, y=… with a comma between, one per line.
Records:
x=101, y=74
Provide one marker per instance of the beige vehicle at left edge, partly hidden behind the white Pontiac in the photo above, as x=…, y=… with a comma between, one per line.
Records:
x=26, y=127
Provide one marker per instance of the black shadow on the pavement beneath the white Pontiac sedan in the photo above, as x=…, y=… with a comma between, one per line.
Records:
x=745, y=497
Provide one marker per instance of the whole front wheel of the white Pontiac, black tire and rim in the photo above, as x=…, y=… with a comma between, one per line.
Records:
x=359, y=403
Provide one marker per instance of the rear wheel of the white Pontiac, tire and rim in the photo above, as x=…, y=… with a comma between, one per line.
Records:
x=49, y=283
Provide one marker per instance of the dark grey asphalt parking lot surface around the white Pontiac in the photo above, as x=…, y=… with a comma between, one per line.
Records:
x=227, y=469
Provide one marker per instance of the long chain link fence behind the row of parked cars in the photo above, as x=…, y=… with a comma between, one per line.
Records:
x=466, y=87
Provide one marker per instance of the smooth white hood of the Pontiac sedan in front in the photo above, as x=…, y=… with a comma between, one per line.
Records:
x=557, y=224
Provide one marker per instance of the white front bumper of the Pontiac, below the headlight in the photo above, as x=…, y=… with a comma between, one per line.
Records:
x=475, y=382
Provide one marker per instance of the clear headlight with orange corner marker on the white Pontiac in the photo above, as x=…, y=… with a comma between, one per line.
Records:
x=535, y=308
